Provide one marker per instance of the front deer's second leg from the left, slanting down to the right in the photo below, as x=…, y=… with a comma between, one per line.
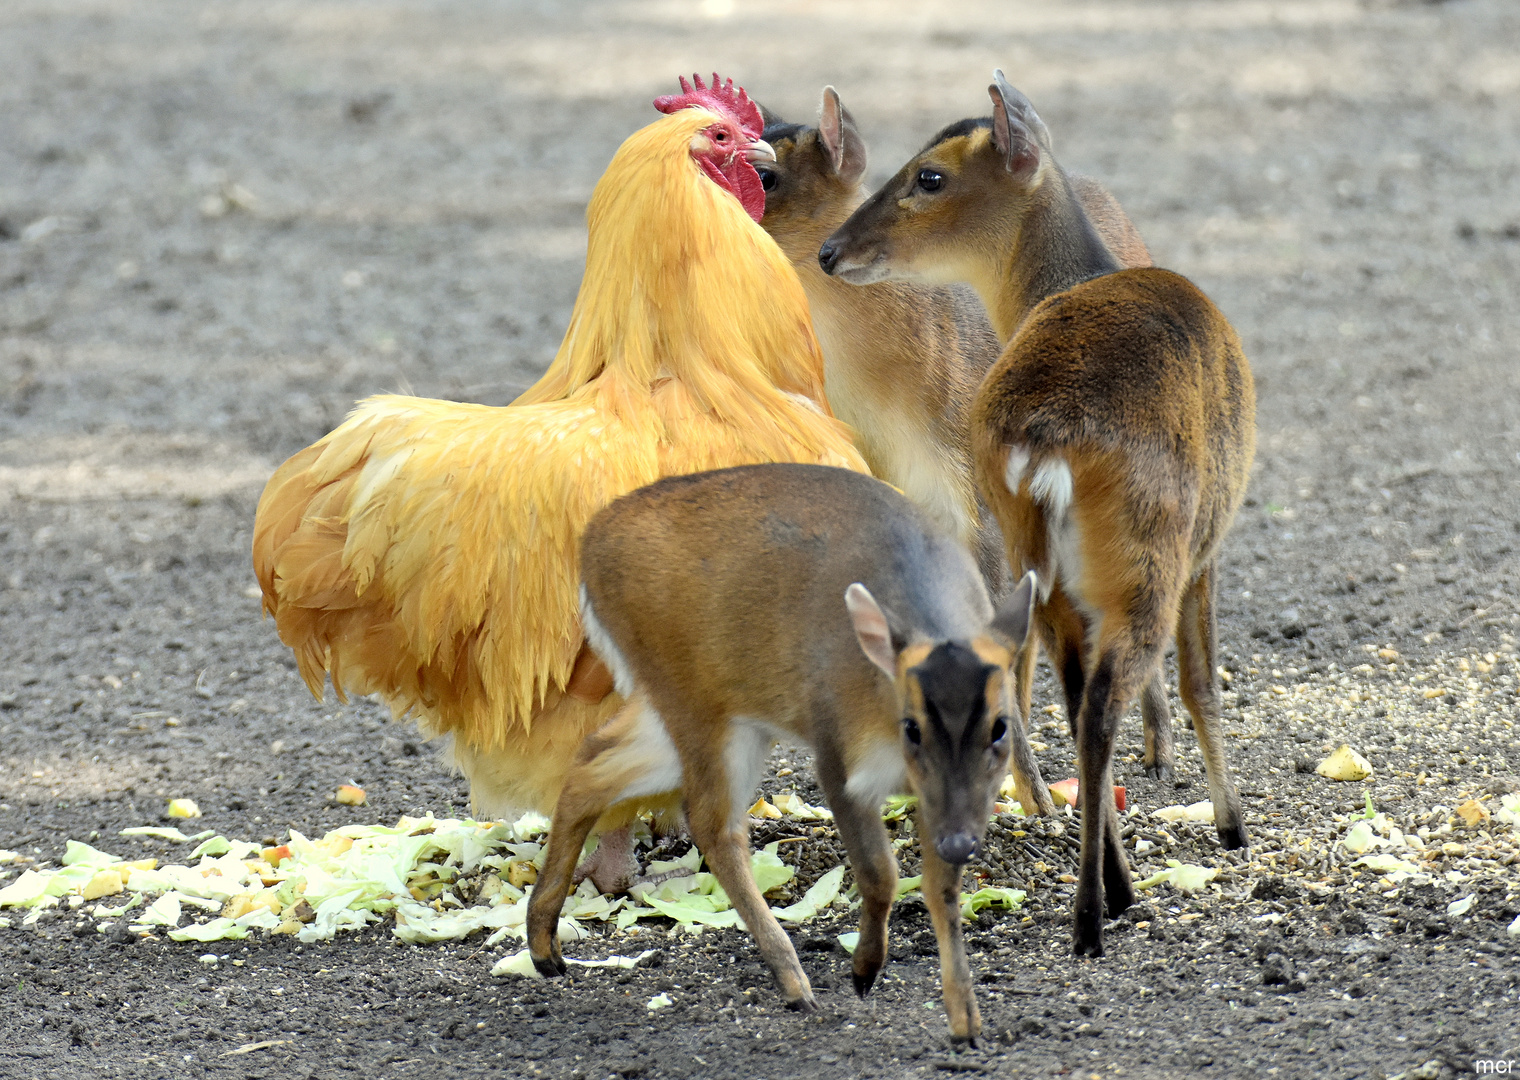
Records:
x=723, y=835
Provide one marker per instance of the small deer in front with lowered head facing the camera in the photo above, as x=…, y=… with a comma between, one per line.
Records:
x=747, y=607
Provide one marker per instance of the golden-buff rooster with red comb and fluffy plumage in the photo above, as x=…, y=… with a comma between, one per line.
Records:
x=428, y=551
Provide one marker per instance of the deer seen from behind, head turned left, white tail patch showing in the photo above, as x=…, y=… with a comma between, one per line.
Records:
x=1112, y=440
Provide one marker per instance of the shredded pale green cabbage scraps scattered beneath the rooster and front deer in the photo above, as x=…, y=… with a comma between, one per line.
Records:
x=413, y=873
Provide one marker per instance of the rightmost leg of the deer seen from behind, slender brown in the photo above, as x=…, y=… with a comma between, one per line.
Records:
x=1199, y=681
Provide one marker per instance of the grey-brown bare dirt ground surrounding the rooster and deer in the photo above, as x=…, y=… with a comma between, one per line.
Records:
x=221, y=224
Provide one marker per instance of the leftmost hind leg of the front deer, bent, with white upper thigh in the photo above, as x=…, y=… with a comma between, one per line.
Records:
x=629, y=757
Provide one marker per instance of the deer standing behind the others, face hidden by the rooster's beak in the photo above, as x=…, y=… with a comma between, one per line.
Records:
x=902, y=361
